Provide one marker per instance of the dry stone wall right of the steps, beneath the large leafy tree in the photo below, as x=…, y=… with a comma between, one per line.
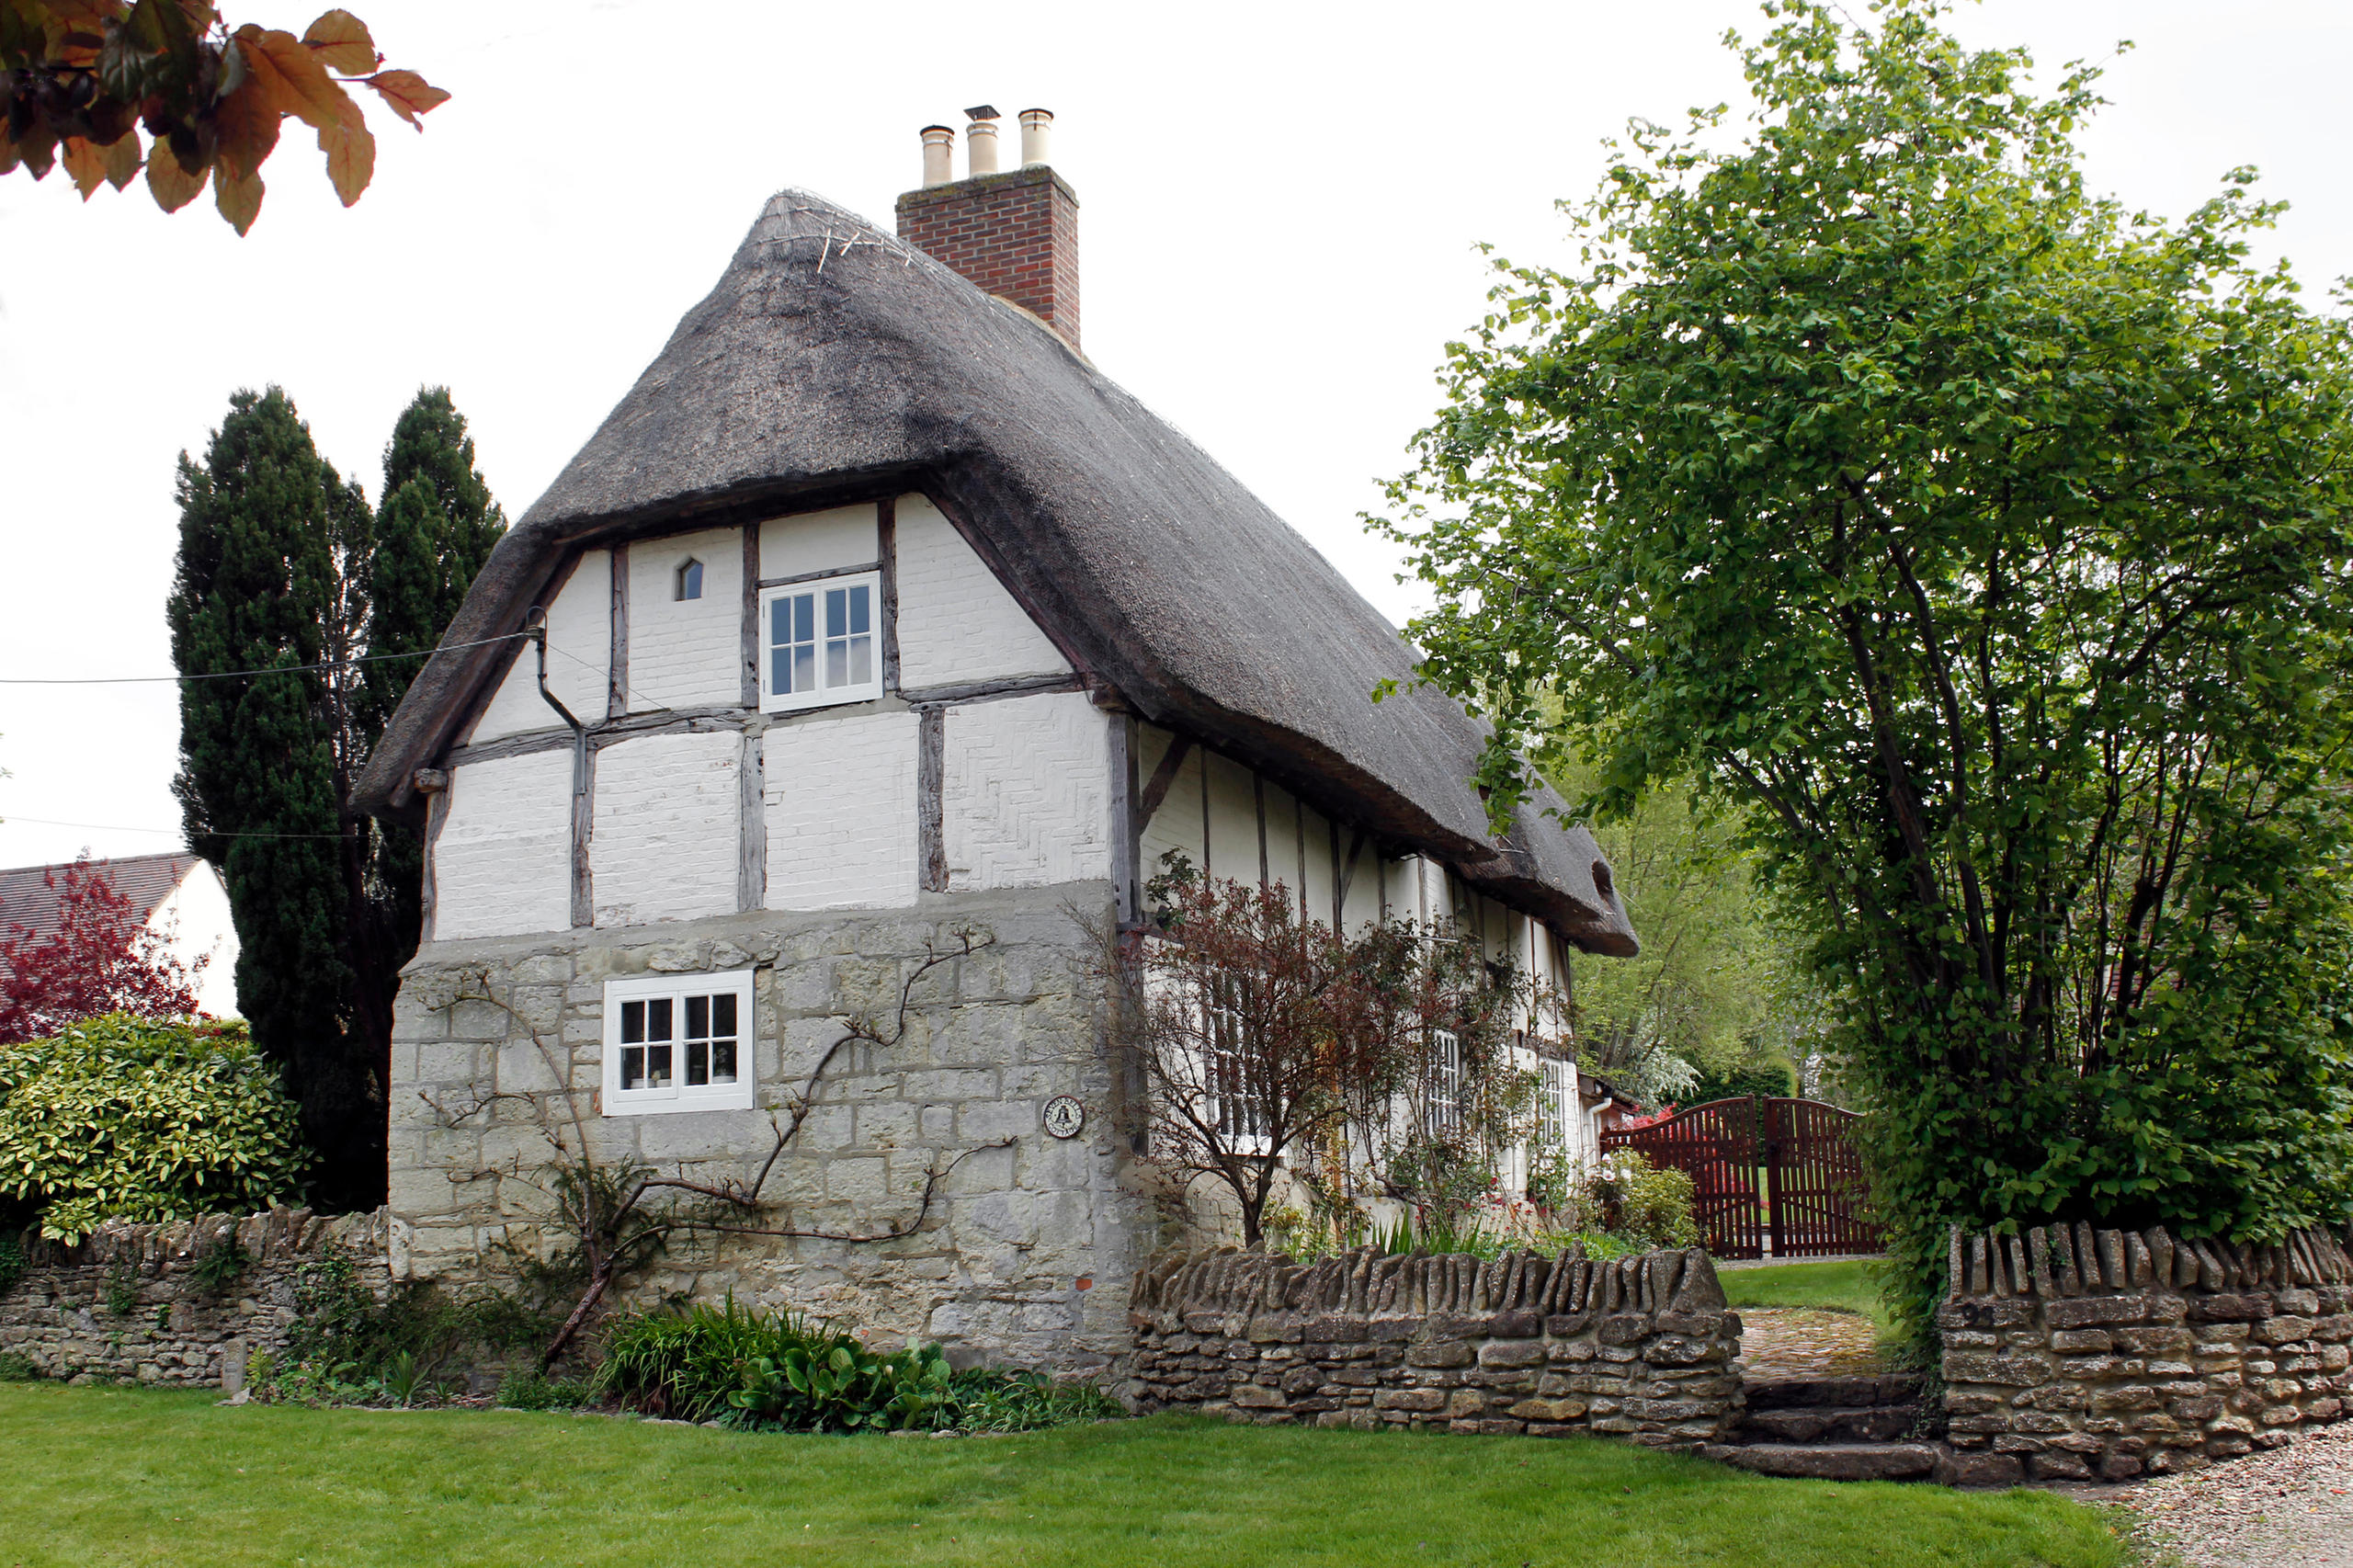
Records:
x=2109, y=1355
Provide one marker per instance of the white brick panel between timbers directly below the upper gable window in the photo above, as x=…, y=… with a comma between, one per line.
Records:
x=841, y=813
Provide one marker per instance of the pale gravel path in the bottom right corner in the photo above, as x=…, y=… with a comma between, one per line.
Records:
x=2291, y=1508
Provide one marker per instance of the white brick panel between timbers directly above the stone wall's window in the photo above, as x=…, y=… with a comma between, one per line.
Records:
x=665, y=832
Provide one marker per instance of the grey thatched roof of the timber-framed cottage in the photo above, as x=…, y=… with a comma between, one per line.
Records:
x=834, y=359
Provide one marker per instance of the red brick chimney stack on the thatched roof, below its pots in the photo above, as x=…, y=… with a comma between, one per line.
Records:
x=1013, y=234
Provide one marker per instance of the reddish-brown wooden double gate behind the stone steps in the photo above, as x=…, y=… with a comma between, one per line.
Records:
x=1773, y=1178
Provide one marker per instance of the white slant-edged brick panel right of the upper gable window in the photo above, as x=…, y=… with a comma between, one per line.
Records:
x=956, y=620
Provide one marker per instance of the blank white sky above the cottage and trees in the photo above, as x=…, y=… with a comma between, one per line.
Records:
x=1279, y=220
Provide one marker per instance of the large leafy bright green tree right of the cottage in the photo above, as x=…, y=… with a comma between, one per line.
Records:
x=1985, y=545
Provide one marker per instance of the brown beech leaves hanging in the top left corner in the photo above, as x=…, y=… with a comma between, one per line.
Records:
x=81, y=79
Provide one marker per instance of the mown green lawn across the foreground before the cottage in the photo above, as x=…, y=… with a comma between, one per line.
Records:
x=168, y=1477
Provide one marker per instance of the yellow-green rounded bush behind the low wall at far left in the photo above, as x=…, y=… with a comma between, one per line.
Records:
x=140, y=1119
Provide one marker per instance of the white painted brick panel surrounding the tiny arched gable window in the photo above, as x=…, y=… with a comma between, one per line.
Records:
x=686, y=653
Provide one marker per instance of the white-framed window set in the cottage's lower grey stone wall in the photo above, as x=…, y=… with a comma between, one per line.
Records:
x=679, y=1044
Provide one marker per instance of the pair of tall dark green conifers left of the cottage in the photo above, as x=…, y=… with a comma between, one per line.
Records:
x=286, y=564
